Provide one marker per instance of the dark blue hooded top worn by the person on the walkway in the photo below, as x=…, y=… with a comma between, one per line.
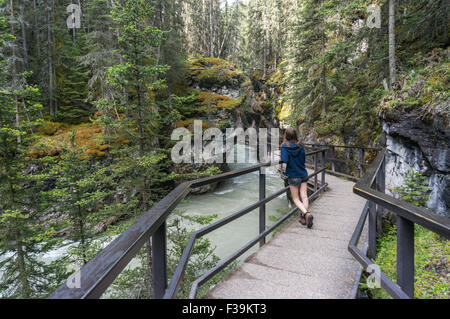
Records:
x=294, y=156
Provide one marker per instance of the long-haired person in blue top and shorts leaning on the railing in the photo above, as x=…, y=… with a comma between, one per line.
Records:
x=294, y=155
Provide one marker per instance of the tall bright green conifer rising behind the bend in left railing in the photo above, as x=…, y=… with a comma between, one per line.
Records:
x=141, y=77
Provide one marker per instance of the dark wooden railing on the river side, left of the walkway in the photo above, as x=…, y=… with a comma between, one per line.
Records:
x=99, y=273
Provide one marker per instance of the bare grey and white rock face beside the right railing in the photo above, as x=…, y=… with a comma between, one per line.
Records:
x=422, y=145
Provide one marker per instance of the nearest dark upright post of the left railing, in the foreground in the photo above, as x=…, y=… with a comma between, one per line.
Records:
x=159, y=259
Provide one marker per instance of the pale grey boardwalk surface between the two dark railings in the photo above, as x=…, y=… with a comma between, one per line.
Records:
x=299, y=263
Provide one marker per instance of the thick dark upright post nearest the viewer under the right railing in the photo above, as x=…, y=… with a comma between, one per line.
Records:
x=405, y=255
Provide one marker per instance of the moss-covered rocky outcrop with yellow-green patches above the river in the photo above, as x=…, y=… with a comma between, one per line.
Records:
x=229, y=97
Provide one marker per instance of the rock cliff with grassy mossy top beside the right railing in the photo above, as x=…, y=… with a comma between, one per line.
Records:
x=415, y=118
